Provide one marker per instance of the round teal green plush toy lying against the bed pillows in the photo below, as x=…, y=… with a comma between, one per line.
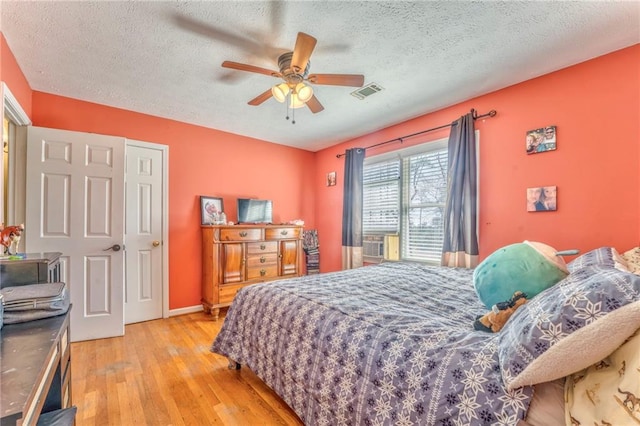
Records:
x=528, y=267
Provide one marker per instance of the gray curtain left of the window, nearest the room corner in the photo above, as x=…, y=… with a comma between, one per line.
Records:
x=352, y=209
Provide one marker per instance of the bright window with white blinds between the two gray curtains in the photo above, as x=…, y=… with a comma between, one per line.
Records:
x=405, y=194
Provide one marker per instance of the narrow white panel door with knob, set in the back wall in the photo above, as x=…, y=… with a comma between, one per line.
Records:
x=144, y=232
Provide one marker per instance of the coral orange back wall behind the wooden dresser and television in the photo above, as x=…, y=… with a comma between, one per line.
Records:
x=201, y=162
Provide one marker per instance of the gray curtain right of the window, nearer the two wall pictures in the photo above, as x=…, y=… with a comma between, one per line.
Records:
x=460, y=232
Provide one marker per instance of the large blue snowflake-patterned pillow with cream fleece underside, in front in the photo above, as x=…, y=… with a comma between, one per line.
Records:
x=569, y=326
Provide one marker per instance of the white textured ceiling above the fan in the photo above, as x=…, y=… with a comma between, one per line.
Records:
x=163, y=58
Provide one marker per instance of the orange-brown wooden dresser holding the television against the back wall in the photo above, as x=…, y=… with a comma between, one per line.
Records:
x=239, y=255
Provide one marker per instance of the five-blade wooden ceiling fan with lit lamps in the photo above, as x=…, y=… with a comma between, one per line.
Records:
x=294, y=71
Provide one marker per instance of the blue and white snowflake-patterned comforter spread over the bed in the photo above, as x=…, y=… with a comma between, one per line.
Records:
x=387, y=344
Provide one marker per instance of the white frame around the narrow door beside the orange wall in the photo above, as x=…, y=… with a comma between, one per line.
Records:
x=165, y=216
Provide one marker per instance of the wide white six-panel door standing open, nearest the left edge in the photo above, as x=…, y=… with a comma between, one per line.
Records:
x=75, y=205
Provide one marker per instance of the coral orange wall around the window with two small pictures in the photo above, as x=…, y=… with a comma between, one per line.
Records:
x=596, y=108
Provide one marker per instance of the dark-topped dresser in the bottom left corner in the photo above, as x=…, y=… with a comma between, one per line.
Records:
x=35, y=366
